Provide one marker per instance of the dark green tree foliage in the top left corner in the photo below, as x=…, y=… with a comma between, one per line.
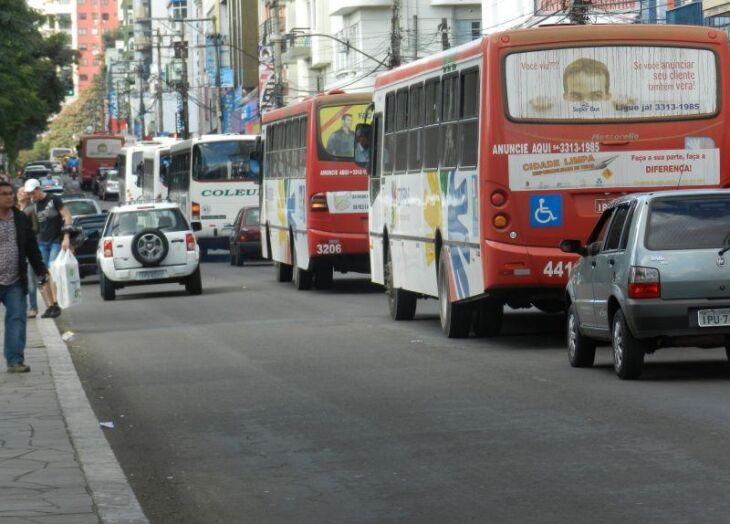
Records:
x=29, y=64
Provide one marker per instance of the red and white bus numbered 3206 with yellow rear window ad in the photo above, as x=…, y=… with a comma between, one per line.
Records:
x=314, y=205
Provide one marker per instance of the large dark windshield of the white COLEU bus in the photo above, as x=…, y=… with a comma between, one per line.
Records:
x=234, y=160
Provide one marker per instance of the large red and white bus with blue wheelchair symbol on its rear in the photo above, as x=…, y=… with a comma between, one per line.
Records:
x=486, y=156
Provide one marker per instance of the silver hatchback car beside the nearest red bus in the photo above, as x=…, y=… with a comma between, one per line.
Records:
x=653, y=274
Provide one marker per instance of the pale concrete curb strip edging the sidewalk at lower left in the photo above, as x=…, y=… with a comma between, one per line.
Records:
x=114, y=499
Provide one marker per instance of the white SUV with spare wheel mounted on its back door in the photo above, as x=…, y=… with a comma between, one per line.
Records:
x=147, y=244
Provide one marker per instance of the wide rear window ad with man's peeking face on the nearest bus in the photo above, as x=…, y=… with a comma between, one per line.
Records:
x=610, y=83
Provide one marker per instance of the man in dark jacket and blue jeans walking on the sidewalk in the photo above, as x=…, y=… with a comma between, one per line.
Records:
x=18, y=247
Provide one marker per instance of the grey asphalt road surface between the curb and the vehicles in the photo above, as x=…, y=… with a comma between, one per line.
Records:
x=257, y=403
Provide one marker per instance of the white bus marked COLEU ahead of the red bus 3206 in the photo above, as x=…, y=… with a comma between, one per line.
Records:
x=212, y=177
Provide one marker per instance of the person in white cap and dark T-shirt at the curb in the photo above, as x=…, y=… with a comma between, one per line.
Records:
x=54, y=221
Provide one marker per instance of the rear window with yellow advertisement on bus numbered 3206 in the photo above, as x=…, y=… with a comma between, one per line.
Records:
x=337, y=130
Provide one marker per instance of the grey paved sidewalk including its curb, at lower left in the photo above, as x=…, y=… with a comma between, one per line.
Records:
x=55, y=464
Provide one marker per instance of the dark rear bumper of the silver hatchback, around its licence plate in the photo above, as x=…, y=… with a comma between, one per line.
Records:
x=673, y=321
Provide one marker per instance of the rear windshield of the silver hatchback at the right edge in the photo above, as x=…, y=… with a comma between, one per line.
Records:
x=689, y=223
